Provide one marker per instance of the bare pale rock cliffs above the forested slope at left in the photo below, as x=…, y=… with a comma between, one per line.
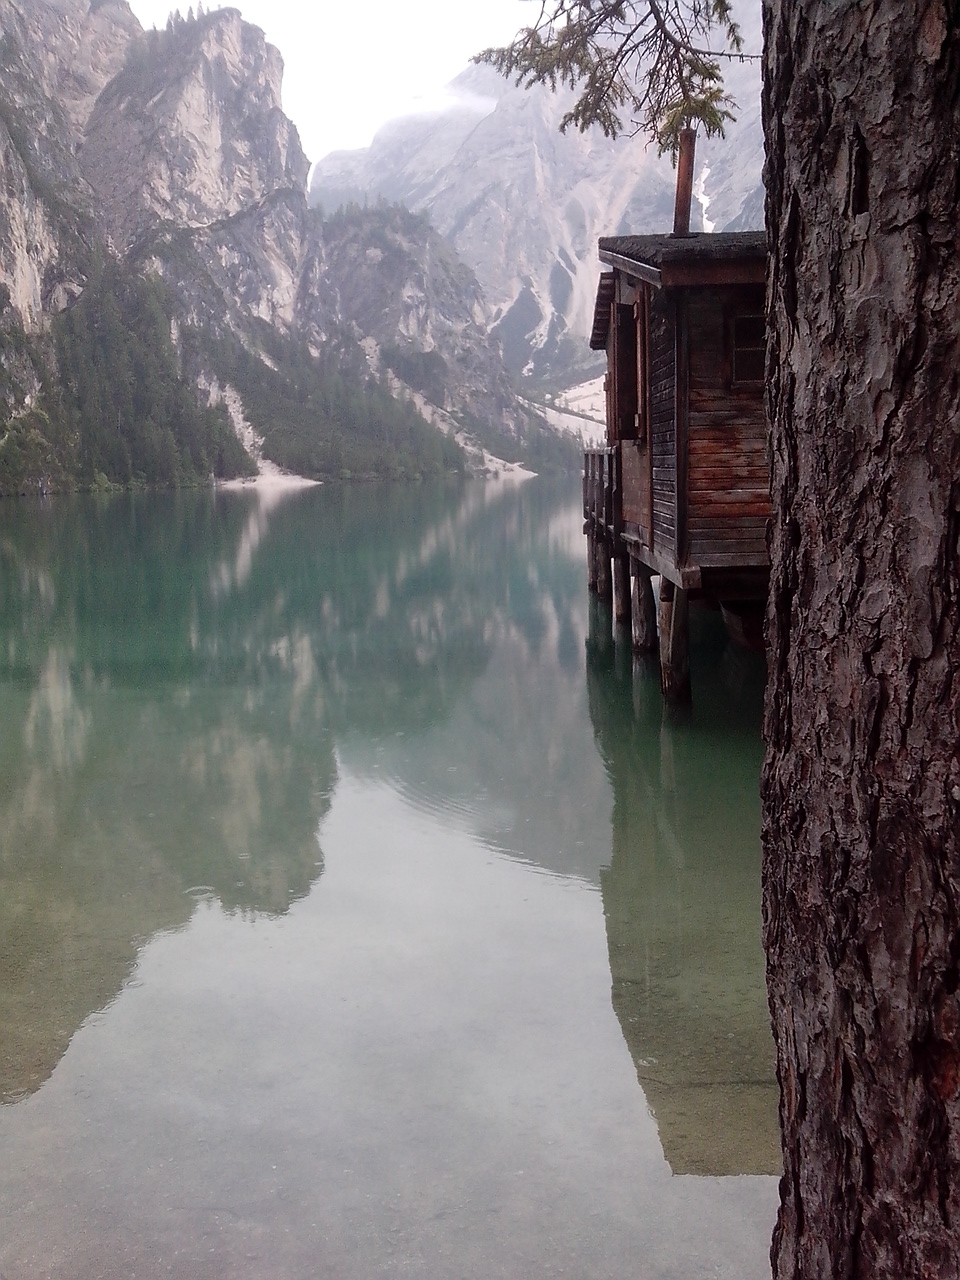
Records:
x=171, y=152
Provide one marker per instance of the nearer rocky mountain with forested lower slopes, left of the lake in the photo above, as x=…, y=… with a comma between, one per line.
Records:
x=156, y=239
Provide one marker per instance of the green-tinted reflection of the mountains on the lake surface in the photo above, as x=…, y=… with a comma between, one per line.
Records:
x=176, y=673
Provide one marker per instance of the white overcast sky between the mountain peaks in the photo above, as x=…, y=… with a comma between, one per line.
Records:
x=350, y=67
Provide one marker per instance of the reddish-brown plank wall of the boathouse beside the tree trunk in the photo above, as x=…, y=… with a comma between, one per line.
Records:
x=728, y=469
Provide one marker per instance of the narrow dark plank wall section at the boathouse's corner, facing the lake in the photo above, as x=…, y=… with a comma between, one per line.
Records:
x=664, y=427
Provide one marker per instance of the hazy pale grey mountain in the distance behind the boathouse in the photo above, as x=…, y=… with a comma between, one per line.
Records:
x=525, y=205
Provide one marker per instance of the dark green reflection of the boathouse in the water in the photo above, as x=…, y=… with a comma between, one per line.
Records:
x=682, y=898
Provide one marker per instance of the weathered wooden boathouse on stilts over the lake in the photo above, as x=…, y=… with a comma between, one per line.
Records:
x=682, y=486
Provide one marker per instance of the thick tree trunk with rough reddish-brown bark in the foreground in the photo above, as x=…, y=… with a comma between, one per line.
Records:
x=862, y=781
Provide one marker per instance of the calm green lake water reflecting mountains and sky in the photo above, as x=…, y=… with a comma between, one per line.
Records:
x=362, y=913
